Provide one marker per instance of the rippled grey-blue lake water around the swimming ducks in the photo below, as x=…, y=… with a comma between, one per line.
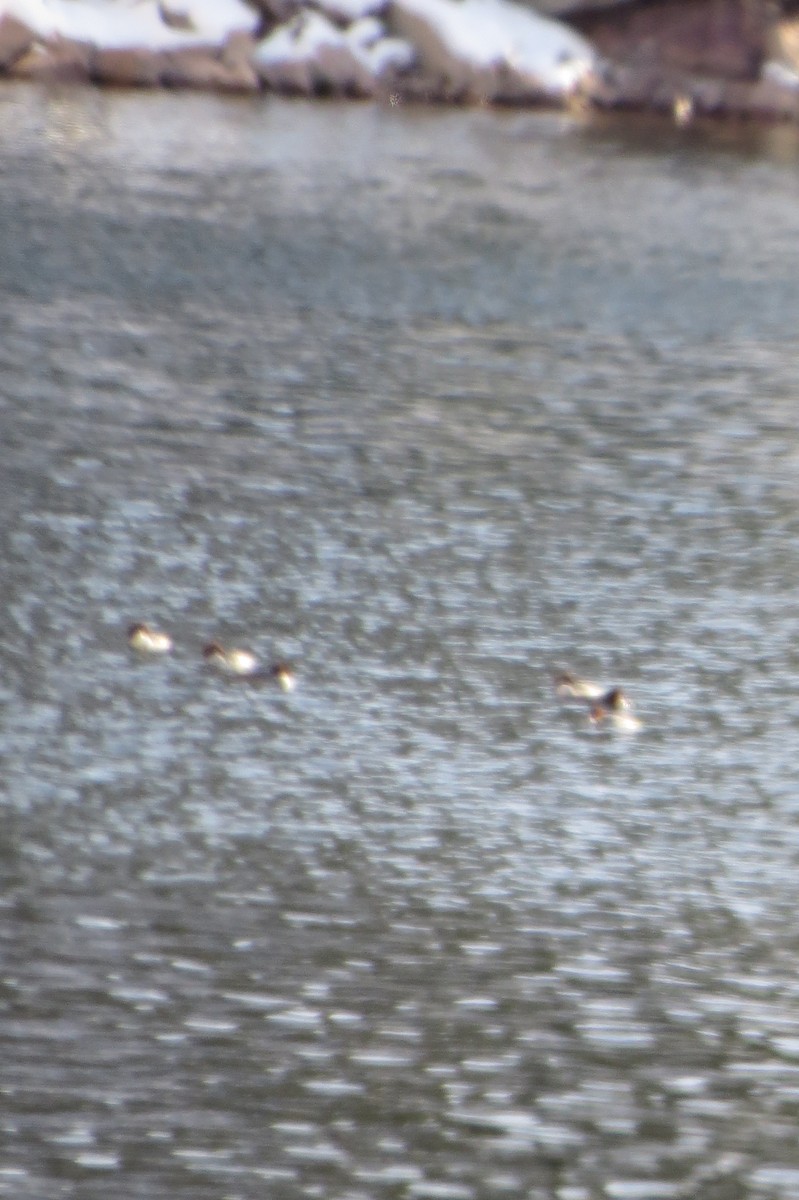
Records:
x=434, y=404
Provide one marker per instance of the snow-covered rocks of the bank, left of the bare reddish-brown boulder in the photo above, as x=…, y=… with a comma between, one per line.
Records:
x=488, y=50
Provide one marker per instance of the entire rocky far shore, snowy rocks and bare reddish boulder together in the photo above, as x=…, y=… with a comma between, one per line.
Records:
x=687, y=59
